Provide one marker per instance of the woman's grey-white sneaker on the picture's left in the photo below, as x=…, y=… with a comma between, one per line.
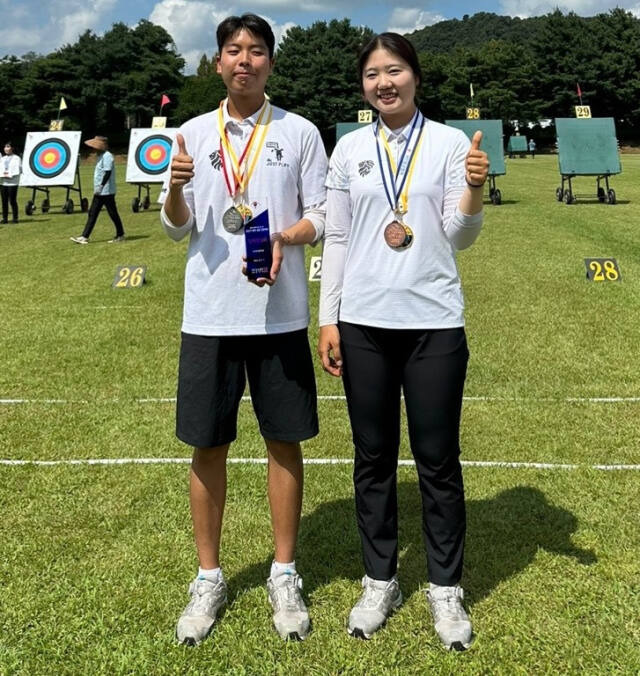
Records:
x=378, y=601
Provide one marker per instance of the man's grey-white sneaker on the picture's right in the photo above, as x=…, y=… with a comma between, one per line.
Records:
x=290, y=614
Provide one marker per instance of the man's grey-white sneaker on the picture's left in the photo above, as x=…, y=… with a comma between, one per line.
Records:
x=198, y=618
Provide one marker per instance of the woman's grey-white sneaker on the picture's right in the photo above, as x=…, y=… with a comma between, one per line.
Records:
x=451, y=621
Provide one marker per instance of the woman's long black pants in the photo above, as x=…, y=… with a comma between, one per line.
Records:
x=429, y=366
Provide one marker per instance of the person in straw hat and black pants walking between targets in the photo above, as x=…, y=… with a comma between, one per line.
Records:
x=104, y=192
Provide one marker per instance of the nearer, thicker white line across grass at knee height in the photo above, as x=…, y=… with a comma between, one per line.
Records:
x=311, y=461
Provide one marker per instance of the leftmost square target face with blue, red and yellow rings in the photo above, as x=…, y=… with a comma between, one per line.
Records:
x=50, y=158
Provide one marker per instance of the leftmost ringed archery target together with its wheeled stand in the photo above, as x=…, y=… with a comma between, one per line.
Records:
x=51, y=161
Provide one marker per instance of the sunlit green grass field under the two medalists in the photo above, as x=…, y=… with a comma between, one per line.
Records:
x=95, y=559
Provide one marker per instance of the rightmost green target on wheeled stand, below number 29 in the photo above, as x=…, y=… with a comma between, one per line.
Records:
x=587, y=147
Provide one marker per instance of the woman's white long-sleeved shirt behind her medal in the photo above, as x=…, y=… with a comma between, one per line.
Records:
x=364, y=281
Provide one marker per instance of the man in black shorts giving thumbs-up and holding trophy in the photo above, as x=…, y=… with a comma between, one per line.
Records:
x=247, y=160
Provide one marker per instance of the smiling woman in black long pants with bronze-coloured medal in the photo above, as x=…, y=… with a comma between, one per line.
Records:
x=404, y=194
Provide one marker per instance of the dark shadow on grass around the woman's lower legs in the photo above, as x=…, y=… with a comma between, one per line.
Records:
x=504, y=533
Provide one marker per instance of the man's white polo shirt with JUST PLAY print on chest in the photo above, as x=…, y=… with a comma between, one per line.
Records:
x=288, y=178
